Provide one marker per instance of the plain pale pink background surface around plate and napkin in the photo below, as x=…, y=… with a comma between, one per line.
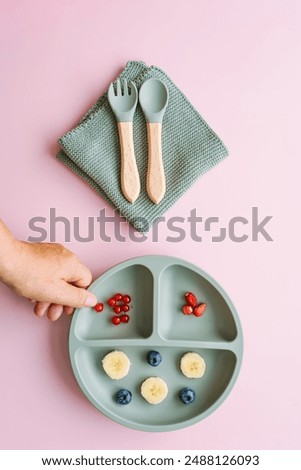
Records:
x=239, y=64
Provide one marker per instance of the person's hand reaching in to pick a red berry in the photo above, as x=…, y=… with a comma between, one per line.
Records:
x=48, y=274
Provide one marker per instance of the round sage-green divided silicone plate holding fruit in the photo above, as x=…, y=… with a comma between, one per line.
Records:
x=157, y=285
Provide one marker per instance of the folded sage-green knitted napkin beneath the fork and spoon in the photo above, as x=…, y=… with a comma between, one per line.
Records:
x=189, y=147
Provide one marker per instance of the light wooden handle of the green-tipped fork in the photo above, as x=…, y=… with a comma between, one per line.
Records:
x=130, y=183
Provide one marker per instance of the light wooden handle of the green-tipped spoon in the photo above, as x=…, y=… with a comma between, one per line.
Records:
x=155, y=171
